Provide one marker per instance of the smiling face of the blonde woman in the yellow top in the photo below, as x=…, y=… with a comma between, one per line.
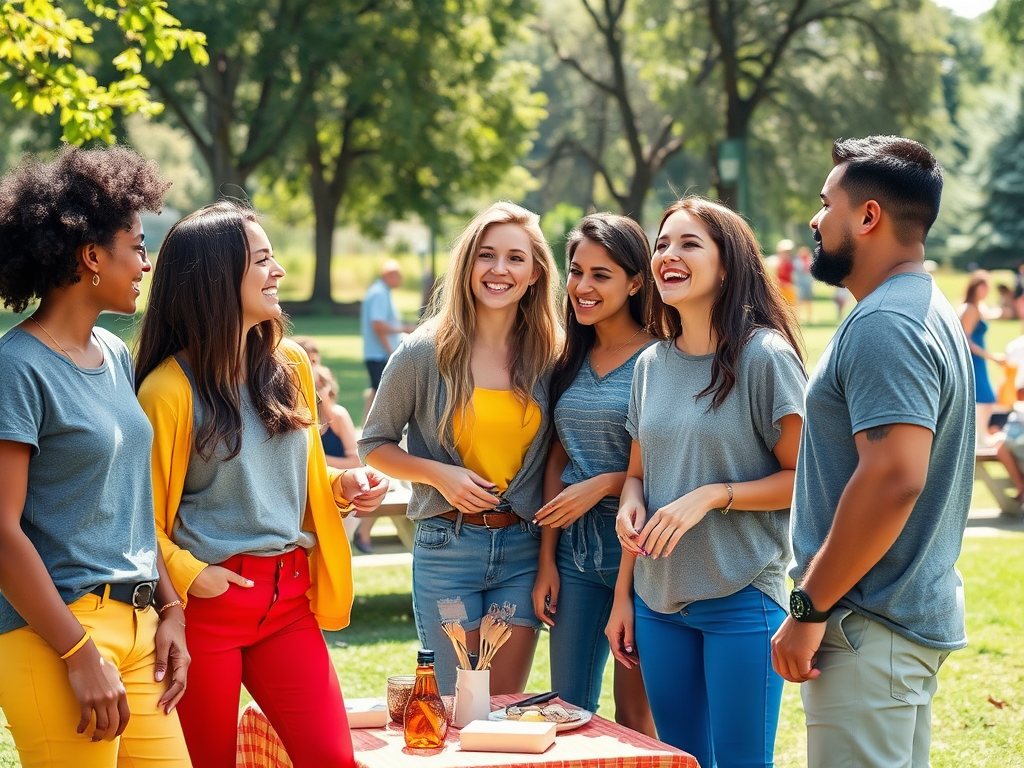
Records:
x=503, y=269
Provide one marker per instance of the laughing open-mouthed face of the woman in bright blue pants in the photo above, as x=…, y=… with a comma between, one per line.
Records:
x=687, y=264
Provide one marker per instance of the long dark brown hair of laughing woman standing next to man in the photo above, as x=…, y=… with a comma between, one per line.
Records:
x=749, y=301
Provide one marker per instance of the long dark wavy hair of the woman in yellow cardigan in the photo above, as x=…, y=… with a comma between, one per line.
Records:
x=196, y=306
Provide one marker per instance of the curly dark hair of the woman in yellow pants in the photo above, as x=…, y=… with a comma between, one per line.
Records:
x=49, y=208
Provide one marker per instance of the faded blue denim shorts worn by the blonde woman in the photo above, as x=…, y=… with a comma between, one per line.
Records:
x=476, y=567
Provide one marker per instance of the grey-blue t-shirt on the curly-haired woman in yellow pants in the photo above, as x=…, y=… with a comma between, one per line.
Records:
x=89, y=511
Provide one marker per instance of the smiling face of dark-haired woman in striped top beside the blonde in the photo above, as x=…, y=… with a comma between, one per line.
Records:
x=599, y=288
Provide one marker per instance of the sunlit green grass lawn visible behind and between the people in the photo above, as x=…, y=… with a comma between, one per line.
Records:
x=969, y=729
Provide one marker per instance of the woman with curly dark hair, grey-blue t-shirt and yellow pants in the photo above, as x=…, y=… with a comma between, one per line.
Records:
x=92, y=630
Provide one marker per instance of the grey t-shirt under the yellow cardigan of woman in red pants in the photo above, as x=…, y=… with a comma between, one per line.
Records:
x=251, y=504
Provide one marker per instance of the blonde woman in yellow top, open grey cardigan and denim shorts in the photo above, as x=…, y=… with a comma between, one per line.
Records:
x=472, y=386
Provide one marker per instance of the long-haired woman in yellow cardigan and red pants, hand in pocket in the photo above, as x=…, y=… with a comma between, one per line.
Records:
x=248, y=513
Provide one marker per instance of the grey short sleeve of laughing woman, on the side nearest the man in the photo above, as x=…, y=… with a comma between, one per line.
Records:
x=778, y=386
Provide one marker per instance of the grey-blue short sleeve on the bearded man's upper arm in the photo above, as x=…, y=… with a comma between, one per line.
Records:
x=889, y=373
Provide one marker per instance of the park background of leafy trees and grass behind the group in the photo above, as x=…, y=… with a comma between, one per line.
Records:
x=366, y=130
